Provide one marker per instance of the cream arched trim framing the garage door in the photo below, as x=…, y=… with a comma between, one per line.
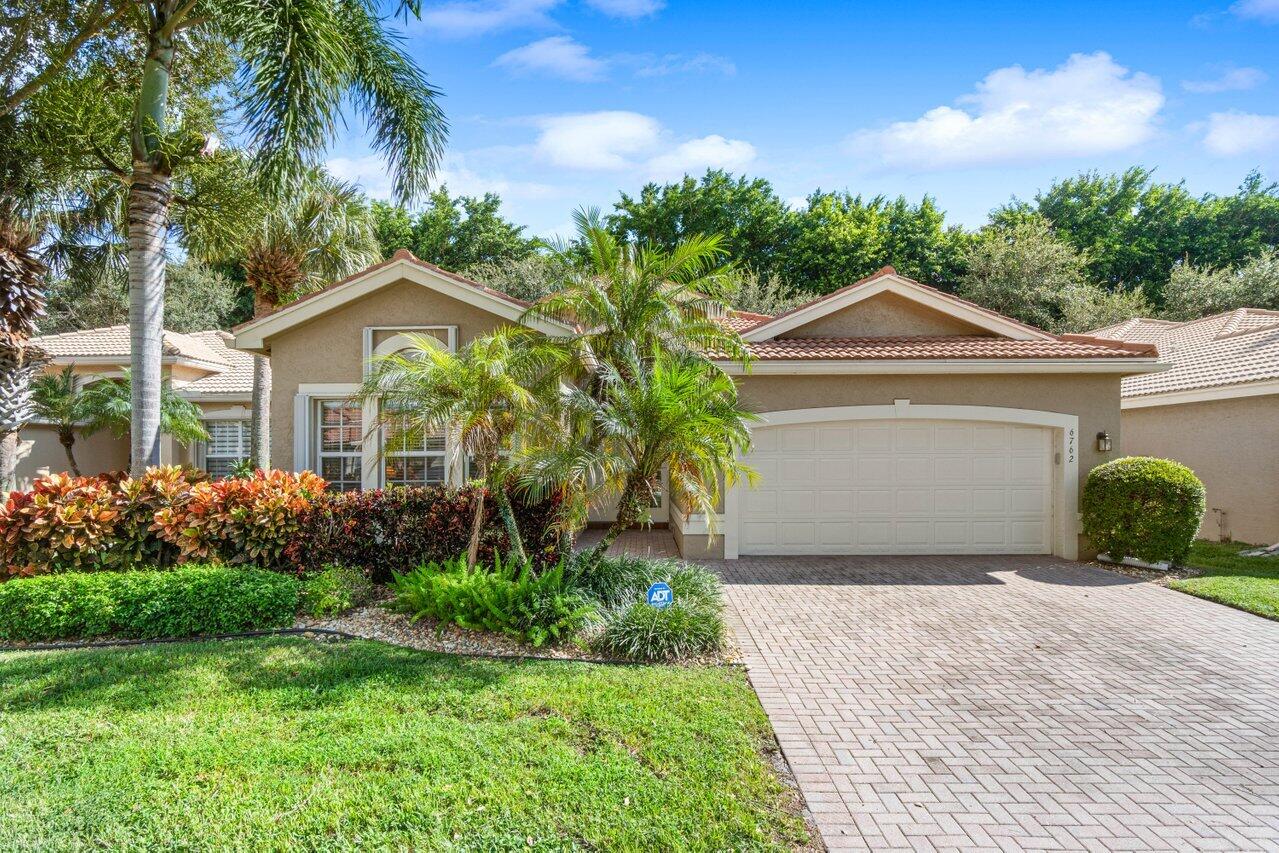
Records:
x=1066, y=487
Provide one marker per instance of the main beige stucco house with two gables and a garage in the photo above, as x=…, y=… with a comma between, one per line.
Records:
x=896, y=419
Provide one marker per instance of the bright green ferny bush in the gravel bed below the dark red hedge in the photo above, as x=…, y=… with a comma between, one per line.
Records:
x=511, y=599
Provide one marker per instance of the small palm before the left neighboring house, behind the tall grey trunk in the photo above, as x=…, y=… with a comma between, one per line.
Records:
x=65, y=401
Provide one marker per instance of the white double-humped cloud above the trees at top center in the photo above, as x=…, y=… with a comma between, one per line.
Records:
x=621, y=141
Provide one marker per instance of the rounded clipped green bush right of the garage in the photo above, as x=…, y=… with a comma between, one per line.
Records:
x=1145, y=508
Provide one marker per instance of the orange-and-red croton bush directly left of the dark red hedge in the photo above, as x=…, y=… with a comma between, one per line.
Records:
x=242, y=521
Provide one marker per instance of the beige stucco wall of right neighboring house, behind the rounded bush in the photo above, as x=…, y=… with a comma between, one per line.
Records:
x=1234, y=447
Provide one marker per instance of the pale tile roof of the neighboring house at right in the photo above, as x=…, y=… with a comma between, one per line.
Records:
x=1225, y=350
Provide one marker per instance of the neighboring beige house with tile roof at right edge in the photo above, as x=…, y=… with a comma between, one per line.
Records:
x=1214, y=410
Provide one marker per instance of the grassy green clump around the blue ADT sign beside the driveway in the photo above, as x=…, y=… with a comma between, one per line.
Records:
x=631, y=629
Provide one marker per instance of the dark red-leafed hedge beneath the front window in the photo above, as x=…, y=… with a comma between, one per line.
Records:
x=395, y=530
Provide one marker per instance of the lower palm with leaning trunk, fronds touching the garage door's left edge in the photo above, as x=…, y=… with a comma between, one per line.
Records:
x=675, y=412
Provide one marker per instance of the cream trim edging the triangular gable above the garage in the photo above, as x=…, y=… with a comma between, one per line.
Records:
x=973, y=318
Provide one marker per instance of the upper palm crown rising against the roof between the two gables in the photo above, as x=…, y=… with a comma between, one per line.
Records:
x=632, y=302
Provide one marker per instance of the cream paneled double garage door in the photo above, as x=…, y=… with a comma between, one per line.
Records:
x=900, y=488
